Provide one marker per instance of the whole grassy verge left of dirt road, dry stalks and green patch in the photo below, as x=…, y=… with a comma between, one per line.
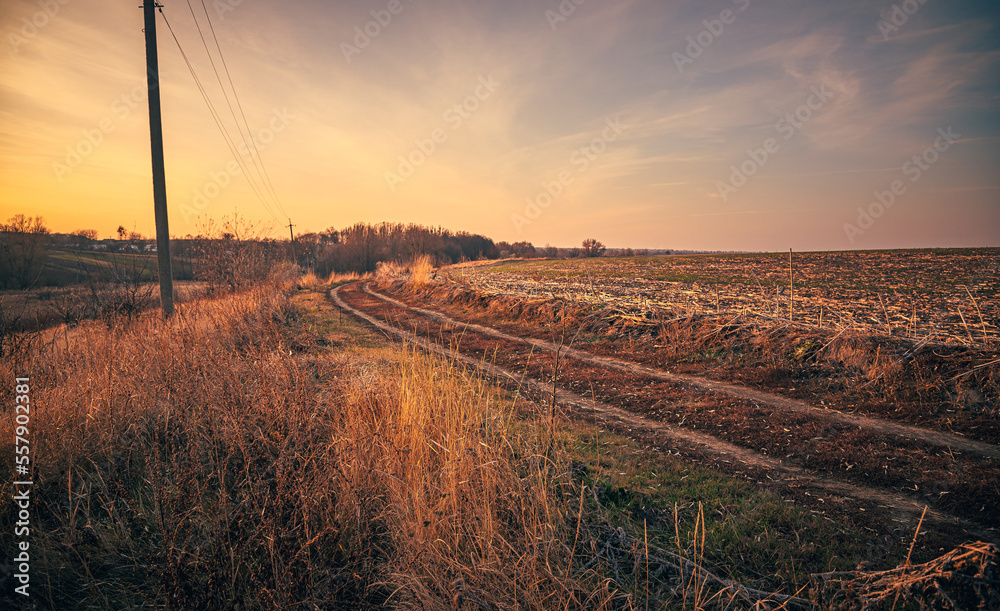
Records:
x=260, y=451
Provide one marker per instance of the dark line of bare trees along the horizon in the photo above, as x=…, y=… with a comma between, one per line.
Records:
x=234, y=252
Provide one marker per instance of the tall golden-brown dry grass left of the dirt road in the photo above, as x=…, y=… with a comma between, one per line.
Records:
x=218, y=460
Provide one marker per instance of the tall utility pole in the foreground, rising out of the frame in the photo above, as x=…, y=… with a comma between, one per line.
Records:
x=159, y=176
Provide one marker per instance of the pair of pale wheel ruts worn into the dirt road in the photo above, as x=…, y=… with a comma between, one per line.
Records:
x=896, y=507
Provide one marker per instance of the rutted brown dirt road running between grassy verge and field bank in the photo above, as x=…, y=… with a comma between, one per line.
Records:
x=860, y=470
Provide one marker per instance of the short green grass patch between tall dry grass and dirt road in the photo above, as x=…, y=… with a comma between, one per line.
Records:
x=751, y=536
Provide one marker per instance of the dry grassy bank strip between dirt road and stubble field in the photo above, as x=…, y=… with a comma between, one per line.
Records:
x=943, y=387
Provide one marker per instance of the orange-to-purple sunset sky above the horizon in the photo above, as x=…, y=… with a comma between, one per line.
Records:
x=746, y=125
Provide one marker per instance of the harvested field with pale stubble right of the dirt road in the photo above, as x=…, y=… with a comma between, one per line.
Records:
x=947, y=296
